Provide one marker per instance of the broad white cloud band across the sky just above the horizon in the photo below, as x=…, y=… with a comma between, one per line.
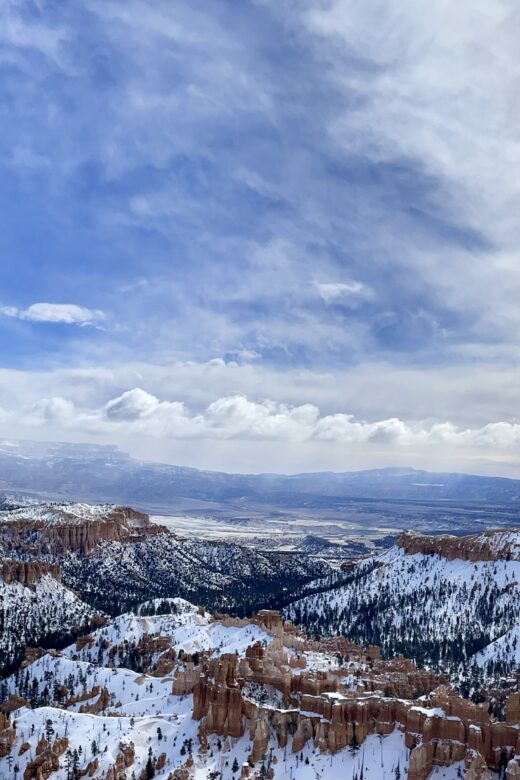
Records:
x=222, y=415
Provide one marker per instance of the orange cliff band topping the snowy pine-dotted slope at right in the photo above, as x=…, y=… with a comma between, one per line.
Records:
x=491, y=545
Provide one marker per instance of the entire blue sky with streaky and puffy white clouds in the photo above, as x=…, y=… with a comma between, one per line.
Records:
x=266, y=235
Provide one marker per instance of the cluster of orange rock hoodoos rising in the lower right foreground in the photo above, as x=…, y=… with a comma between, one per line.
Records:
x=439, y=729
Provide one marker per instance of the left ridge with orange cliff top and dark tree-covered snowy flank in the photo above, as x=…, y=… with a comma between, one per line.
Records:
x=116, y=558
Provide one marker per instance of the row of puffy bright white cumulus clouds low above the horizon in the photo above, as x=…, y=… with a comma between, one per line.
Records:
x=137, y=412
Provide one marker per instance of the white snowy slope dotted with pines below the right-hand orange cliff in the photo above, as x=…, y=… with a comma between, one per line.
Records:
x=436, y=611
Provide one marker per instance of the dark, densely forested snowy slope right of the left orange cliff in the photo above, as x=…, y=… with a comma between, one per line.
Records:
x=117, y=575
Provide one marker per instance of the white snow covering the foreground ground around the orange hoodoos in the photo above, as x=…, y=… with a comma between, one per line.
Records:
x=141, y=704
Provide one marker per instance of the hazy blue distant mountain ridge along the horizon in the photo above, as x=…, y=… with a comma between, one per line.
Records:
x=104, y=473
